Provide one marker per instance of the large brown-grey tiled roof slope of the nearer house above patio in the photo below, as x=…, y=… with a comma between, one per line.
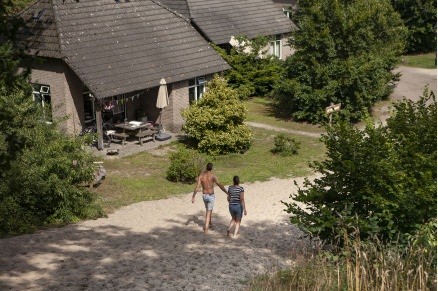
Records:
x=117, y=48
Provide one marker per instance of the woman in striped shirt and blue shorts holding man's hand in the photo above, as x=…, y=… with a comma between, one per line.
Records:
x=236, y=205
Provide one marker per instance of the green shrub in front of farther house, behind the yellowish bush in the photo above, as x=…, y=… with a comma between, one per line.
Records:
x=251, y=74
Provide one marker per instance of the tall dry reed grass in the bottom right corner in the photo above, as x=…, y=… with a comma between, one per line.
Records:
x=358, y=265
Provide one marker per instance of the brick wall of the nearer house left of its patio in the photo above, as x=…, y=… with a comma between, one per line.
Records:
x=65, y=90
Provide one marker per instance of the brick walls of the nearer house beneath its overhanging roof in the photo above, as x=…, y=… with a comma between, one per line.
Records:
x=67, y=98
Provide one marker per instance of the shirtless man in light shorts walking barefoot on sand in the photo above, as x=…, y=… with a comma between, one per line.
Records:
x=207, y=180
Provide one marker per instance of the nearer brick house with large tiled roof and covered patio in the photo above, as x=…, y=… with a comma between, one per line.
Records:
x=102, y=52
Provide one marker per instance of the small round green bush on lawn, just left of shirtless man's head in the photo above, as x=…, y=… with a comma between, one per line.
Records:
x=185, y=166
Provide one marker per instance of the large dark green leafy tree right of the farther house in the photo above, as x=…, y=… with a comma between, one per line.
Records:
x=345, y=53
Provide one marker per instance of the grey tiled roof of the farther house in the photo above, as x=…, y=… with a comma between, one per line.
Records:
x=221, y=19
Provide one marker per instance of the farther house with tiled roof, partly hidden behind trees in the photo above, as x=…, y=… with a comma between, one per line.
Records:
x=221, y=20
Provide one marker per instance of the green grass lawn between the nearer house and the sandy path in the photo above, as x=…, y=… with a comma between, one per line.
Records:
x=142, y=176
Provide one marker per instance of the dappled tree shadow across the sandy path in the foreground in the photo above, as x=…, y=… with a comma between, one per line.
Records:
x=78, y=257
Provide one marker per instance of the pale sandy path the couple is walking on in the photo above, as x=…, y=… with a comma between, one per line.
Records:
x=156, y=245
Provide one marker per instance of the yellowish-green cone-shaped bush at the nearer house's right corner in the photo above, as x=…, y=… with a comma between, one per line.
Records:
x=215, y=123
